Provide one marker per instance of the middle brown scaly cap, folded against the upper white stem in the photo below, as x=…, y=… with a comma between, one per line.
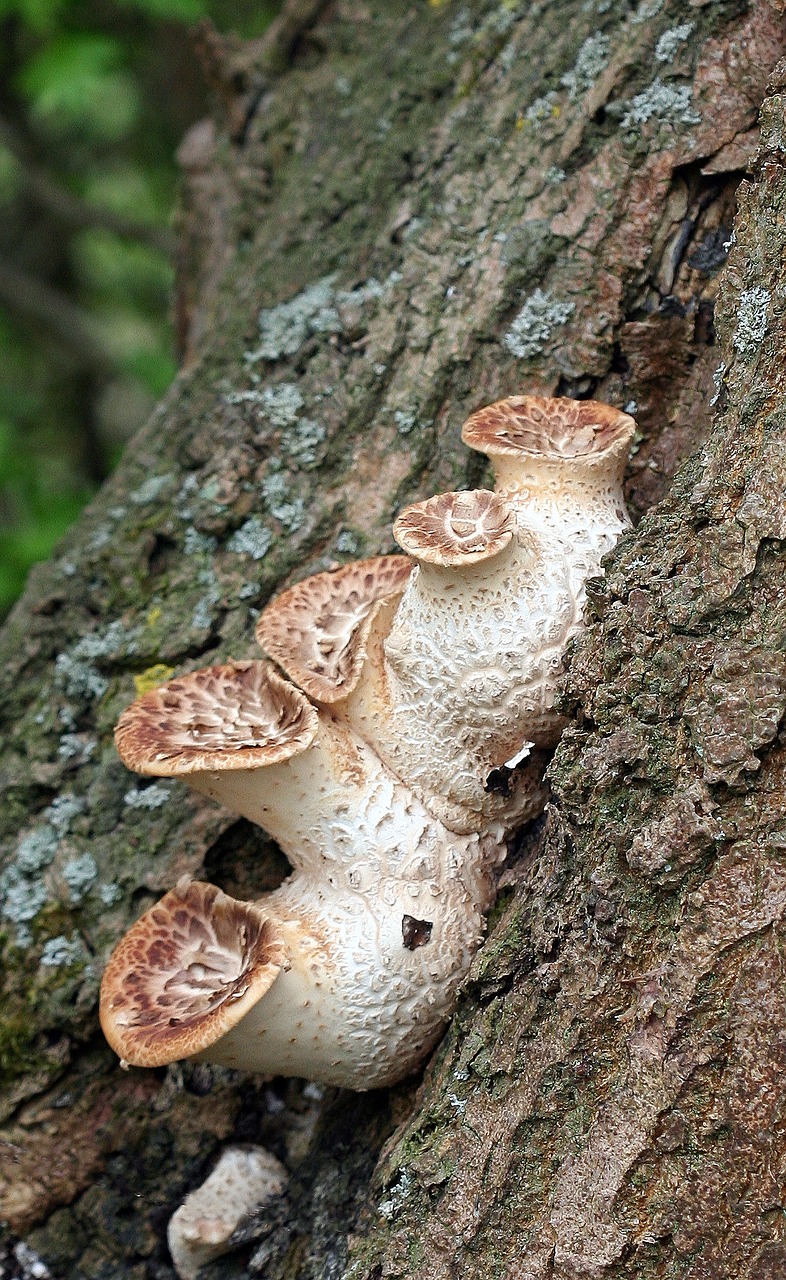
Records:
x=318, y=630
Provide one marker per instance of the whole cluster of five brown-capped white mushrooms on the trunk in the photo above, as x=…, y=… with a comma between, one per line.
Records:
x=391, y=761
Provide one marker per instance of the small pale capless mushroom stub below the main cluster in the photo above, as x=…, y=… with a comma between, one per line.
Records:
x=241, y=1185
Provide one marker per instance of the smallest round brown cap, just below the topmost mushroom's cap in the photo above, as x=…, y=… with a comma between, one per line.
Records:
x=456, y=528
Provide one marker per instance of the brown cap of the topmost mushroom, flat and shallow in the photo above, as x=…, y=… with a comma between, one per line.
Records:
x=556, y=429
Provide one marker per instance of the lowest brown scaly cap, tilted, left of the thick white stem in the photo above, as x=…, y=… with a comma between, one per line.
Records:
x=186, y=973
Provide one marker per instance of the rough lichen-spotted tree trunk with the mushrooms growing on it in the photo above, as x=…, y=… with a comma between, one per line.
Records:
x=432, y=208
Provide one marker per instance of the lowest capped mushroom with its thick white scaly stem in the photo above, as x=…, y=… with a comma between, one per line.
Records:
x=345, y=977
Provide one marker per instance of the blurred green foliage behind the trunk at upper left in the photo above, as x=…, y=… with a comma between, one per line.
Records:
x=94, y=102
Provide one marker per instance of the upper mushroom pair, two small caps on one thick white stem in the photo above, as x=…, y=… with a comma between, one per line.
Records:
x=500, y=592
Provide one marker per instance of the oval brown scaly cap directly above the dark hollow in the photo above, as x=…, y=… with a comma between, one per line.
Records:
x=241, y=716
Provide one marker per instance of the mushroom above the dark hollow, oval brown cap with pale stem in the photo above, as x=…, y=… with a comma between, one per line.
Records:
x=246, y=738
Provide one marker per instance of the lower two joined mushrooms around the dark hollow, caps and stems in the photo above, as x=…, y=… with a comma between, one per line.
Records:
x=345, y=975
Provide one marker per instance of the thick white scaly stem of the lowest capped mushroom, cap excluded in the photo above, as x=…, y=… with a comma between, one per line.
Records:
x=374, y=963
